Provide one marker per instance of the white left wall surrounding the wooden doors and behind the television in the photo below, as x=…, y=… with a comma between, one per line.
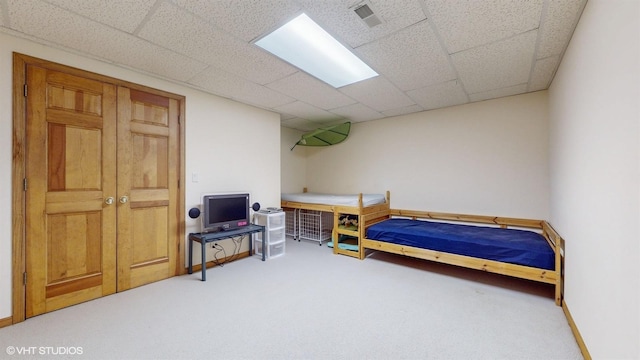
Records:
x=231, y=146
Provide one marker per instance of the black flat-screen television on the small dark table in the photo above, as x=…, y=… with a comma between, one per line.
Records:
x=222, y=212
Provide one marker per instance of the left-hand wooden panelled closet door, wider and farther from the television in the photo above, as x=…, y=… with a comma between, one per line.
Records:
x=70, y=173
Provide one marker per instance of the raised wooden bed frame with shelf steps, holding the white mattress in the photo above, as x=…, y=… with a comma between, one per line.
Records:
x=370, y=212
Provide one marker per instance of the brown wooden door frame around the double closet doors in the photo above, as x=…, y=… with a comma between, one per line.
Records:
x=18, y=268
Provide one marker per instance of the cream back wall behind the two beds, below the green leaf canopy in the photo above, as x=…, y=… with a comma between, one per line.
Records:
x=488, y=157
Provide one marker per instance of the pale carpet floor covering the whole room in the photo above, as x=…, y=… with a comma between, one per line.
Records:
x=309, y=304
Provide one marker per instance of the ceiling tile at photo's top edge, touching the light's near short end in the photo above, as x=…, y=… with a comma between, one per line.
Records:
x=244, y=19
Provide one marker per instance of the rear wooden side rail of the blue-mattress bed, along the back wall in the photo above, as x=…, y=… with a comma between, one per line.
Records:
x=482, y=219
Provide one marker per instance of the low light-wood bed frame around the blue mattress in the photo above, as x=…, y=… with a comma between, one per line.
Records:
x=553, y=277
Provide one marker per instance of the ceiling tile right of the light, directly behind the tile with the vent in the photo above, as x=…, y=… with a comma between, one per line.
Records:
x=410, y=58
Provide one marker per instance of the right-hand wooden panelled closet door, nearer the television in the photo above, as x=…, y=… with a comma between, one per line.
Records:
x=148, y=172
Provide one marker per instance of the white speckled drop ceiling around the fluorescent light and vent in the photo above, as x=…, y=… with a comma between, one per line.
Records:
x=429, y=53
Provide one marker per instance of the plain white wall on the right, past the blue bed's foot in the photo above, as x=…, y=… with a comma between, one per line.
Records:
x=595, y=176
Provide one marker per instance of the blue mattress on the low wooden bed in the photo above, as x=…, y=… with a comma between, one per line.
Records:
x=513, y=246
